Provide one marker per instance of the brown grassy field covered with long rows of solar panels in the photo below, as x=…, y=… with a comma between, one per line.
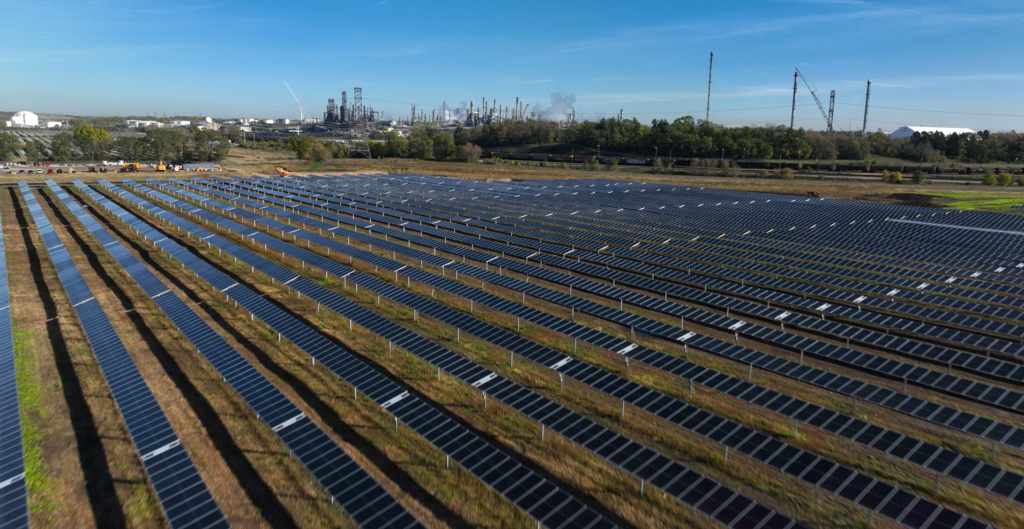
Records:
x=511, y=290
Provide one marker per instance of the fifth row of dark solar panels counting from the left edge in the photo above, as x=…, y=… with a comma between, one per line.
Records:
x=732, y=509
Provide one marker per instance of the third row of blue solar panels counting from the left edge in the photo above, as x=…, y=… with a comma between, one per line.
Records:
x=355, y=490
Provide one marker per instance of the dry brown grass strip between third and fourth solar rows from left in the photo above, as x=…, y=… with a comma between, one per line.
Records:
x=403, y=462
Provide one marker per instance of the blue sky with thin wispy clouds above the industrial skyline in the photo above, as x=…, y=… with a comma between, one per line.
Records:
x=963, y=61
